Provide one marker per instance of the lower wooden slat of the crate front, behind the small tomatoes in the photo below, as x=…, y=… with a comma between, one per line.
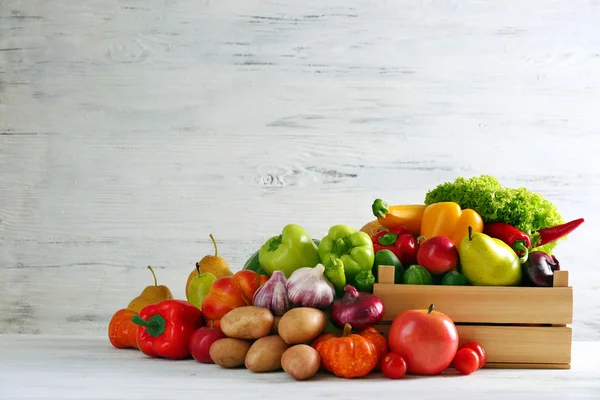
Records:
x=516, y=344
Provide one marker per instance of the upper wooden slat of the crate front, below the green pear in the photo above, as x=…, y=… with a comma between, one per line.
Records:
x=481, y=304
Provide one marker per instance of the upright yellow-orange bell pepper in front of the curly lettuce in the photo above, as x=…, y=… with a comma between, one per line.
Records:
x=448, y=219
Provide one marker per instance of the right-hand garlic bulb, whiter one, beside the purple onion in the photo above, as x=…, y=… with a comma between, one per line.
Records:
x=308, y=287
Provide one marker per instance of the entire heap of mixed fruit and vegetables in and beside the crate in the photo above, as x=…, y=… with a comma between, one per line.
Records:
x=302, y=305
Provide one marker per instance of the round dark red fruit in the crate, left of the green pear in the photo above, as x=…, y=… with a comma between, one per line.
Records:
x=438, y=255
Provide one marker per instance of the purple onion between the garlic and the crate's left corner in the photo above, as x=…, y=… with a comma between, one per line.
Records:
x=361, y=310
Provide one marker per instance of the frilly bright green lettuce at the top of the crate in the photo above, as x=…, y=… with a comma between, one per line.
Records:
x=519, y=207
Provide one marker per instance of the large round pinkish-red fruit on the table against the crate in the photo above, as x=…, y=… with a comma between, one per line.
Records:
x=426, y=339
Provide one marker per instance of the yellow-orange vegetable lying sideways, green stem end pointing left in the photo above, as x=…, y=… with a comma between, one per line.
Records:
x=408, y=215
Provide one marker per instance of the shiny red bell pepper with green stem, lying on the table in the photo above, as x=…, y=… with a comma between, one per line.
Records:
x=166, y=327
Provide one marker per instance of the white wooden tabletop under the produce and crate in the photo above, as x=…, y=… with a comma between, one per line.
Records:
x=47, y=367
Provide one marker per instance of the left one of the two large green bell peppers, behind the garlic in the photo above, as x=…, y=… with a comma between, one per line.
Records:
x=291, y=250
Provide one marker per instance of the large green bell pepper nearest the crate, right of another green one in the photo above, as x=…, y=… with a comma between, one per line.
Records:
x=354, y=248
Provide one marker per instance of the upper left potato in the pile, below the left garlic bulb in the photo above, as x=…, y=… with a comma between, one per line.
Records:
x=248, y=322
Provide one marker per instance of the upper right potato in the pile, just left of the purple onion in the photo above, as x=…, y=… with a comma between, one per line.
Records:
x=302, y=324
